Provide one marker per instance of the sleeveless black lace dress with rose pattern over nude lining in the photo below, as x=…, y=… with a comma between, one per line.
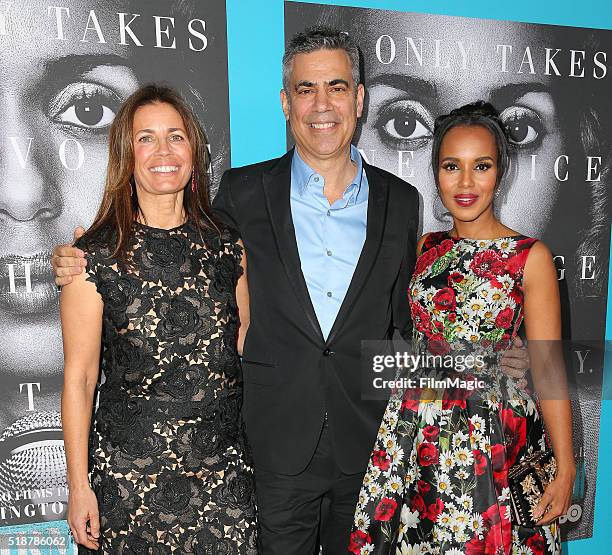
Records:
x=167, y=453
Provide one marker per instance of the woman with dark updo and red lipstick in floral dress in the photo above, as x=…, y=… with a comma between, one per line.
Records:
x=437, y=481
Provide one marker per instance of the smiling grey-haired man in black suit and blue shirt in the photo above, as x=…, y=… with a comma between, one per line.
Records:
x=310, y=431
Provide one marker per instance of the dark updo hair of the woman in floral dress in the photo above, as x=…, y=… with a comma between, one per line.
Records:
x=478, y=113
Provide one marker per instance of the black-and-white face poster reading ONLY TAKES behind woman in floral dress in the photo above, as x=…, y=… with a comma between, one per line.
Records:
x=552, y=87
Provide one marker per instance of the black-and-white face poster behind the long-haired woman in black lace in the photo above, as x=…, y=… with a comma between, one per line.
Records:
x=66, y=67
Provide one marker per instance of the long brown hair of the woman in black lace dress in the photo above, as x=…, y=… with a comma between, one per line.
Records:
x=119, y=208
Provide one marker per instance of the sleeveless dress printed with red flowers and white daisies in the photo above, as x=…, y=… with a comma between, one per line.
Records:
x=437, y=480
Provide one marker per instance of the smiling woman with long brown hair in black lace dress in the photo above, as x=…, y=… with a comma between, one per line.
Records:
x=163, y=467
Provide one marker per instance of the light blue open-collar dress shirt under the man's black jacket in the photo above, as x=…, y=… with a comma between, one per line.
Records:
x=329, y=237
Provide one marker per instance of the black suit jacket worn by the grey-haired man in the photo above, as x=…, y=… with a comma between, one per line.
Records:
x=292, y=375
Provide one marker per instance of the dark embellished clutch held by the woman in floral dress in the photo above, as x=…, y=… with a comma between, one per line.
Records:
x=528, y=480
